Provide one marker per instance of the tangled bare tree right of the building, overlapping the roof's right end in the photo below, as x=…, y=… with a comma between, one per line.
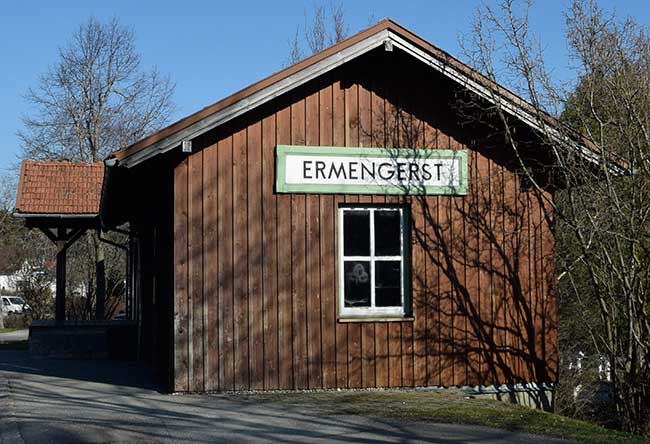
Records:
x=603, y=202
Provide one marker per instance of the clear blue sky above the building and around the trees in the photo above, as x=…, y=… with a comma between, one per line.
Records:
x=213, y=48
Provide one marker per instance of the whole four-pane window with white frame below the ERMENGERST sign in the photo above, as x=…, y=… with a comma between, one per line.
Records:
x=373, y=265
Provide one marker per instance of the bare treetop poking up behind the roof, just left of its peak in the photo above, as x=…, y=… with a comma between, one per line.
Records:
x=324, y=26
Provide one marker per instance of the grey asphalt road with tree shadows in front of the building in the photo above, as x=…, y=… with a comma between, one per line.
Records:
x=49, y=401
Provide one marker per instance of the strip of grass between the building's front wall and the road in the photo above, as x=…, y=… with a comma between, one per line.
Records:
x=447, y=406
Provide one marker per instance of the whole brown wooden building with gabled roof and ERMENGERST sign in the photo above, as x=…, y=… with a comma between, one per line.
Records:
x=351, y=221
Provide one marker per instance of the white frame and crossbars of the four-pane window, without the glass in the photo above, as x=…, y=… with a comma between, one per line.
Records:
x=373, y=311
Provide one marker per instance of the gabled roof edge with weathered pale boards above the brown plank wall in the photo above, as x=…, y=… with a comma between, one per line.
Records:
x=386, y=33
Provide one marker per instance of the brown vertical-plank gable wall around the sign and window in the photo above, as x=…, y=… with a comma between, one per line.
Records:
x=255, y=302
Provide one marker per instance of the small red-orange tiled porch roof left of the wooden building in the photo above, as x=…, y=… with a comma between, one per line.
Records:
x=51, y=188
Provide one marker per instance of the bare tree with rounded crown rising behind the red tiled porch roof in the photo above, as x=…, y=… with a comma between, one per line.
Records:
x=94, y=100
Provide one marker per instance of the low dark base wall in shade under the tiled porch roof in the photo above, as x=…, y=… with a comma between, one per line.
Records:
x=83, y=339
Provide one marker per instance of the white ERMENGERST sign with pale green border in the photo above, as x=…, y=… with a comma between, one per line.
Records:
x=353, y=170
